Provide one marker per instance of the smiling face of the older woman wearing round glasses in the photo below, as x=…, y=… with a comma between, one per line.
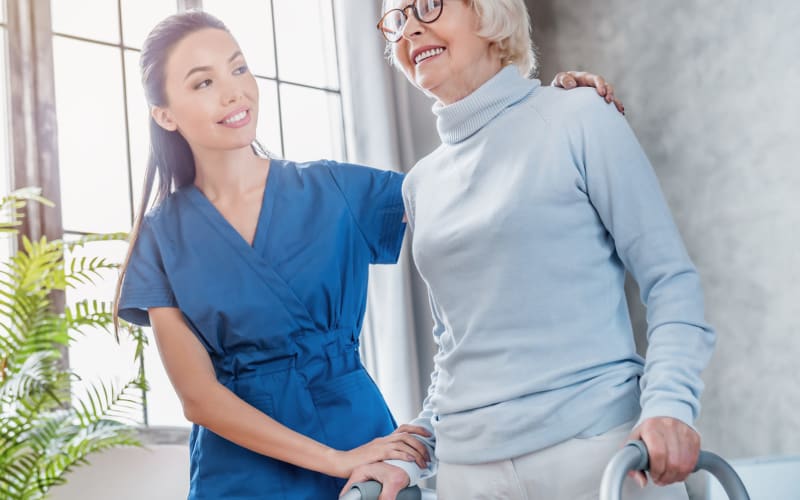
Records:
x=446, y=58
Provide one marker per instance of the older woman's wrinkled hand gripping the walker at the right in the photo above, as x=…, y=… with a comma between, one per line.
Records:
x=673, y=448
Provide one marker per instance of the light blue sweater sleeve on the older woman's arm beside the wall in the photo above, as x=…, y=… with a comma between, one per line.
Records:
x=625, y=192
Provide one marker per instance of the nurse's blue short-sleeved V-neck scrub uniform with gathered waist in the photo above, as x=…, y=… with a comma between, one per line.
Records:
x=280, y=319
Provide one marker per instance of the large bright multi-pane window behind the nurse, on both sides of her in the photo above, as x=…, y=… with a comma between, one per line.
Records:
x=102, y=123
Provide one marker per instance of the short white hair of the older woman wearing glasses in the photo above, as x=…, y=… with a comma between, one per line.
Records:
x=504, y=22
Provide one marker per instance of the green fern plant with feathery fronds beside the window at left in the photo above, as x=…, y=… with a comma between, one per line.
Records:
x=45, y=431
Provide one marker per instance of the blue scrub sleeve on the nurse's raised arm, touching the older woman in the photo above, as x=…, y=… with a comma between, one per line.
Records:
x=375, y=199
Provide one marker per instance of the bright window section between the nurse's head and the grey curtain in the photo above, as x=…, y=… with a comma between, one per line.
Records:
x=290, y=47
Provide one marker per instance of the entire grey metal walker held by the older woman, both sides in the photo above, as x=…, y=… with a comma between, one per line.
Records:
x=632, y=457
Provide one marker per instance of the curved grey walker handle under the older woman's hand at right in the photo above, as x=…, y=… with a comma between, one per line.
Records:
x=634, y=457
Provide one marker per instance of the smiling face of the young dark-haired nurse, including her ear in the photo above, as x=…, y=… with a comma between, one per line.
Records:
x=212, y=96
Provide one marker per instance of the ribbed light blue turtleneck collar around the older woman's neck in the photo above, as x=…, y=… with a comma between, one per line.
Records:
x=460, y=120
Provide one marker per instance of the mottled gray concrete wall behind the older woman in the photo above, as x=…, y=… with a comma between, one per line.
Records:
x=712, y=90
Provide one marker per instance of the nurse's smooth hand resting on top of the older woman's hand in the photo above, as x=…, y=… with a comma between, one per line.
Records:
x=399, y=445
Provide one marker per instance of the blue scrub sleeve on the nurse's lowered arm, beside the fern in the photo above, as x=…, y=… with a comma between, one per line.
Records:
x=145, y=284
